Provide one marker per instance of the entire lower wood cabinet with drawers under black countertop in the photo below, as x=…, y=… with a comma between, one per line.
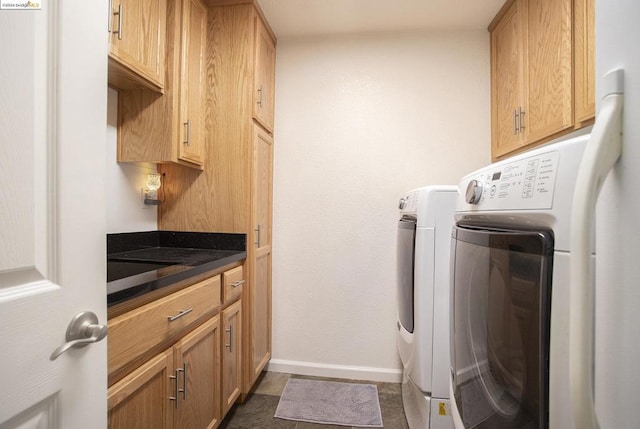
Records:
x=191, y=384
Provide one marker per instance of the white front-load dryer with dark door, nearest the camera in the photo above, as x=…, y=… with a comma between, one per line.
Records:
x=510, y=257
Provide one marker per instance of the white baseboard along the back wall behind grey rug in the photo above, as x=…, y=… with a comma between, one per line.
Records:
x=335, y=371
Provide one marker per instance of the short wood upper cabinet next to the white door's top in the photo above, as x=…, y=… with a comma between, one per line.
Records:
x=137, y=48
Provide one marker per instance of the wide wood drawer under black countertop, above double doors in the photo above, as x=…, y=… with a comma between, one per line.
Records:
x=134, y=333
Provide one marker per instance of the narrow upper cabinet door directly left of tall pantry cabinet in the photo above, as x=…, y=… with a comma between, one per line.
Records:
x=192, y=82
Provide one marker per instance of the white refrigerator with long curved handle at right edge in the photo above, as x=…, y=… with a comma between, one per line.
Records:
x=611, y=371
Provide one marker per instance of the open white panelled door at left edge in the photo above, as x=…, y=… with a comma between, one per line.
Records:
x=53, y=90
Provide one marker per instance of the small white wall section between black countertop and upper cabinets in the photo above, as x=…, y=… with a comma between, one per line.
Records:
x=125, y=209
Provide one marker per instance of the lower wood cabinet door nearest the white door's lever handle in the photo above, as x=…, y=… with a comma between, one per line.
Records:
x=142, y=399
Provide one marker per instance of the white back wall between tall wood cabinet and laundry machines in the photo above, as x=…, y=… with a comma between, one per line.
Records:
x=360, y=120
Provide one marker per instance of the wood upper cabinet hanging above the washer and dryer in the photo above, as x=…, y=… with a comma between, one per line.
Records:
x=532, y=74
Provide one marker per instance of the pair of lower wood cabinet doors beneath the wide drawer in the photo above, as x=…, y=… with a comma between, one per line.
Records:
x=179, y=388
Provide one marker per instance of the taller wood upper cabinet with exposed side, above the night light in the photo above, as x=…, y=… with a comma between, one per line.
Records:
x=171, y=128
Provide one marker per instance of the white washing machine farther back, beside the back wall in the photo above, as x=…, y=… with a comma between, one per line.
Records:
x=423, y=245
